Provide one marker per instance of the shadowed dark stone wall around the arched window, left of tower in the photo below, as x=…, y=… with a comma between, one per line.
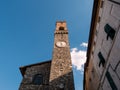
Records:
x=30, y=72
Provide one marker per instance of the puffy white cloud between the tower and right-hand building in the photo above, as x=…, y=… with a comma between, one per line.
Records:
x=78, y=57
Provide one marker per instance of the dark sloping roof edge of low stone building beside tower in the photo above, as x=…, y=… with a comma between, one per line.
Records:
x=23, y=68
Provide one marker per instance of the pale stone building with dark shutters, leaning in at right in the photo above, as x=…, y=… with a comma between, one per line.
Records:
x=102, y=69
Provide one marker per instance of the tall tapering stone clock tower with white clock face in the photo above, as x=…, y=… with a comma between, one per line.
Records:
x=61, y=74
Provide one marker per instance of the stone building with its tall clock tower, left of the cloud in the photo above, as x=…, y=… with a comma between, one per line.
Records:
x=55, y=74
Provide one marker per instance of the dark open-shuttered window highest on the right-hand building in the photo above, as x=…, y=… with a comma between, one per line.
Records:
x=110, y=31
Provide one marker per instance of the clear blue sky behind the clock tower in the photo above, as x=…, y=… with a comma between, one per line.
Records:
x=27, y=34
